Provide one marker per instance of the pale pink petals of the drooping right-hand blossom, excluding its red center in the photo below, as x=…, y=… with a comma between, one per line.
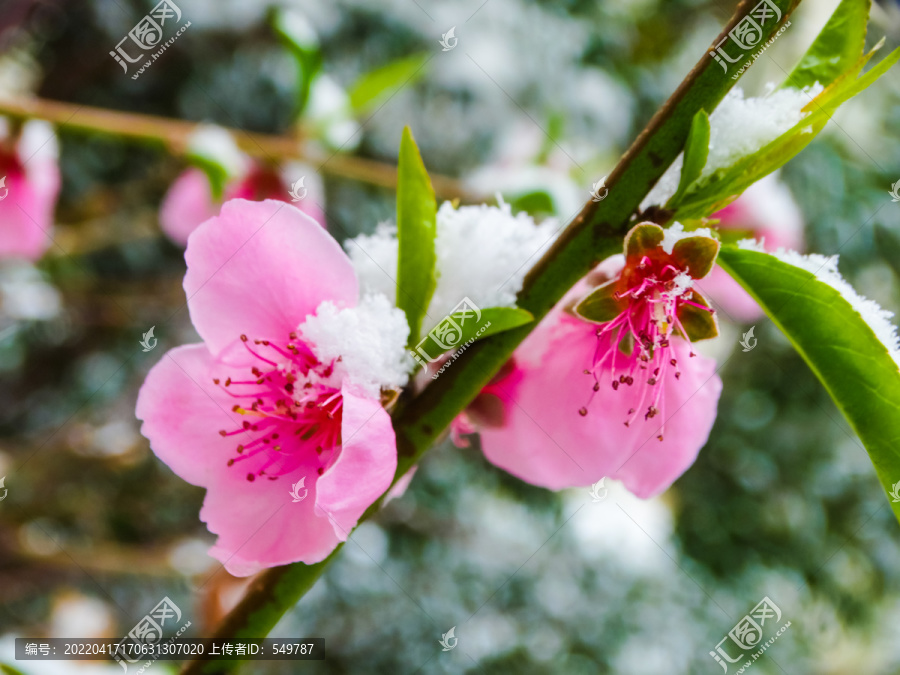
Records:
x=546, y=442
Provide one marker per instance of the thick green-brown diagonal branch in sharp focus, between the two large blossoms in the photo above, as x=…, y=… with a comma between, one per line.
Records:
x=593, y=235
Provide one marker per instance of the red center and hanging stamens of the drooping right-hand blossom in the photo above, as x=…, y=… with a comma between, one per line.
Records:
x=635, y=348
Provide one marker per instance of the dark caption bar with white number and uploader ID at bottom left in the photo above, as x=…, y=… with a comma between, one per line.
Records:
x=131, y=651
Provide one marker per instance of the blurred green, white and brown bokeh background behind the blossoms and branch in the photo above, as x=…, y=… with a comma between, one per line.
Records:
x=783, y=501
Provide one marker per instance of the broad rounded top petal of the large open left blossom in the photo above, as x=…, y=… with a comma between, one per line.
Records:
x=260, y=268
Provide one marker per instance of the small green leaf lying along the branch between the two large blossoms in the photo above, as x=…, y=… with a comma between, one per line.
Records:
x=458, y=328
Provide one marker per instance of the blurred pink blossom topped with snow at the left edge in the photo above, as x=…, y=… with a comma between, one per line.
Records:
x=29, y=171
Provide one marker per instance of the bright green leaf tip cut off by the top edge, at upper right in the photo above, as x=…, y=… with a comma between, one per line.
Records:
x=837, y=48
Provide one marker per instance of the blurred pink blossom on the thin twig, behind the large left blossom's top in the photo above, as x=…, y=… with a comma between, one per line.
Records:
x=190, y=200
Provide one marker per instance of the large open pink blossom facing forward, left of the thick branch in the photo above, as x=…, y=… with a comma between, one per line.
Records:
x=291, y=444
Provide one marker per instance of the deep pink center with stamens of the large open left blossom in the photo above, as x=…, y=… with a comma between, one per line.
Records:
x=292, y=409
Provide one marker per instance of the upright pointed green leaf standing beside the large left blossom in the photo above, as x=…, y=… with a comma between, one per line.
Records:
x=416, y=230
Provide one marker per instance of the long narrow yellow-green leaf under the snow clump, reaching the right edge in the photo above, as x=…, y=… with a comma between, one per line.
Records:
x=722, y=187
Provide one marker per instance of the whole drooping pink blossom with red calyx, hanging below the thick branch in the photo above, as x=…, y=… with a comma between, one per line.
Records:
x=650, y=403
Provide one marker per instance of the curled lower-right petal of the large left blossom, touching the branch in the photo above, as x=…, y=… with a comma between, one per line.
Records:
x=365, y=468
